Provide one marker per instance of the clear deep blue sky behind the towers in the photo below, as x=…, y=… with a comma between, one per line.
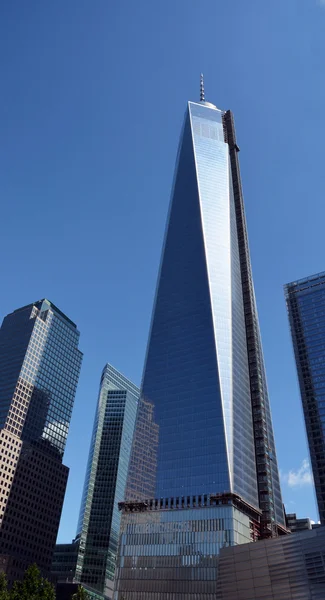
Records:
x=92, y=101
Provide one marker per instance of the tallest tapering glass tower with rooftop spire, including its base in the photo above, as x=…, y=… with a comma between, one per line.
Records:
x=213, y=478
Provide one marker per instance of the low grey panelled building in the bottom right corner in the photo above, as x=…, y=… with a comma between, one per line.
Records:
x=287, y=568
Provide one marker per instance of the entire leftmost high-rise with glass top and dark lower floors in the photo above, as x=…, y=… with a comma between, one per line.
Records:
x=39, y=371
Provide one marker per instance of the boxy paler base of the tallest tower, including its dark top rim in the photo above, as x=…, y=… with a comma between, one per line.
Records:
x=169, y=547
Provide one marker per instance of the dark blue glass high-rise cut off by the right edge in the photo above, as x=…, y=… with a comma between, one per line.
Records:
x=306, y=307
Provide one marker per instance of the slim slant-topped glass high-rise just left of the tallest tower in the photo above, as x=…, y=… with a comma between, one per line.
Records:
x=106, y=475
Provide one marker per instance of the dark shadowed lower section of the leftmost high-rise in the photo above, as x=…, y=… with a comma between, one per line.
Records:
x=29, y=525
